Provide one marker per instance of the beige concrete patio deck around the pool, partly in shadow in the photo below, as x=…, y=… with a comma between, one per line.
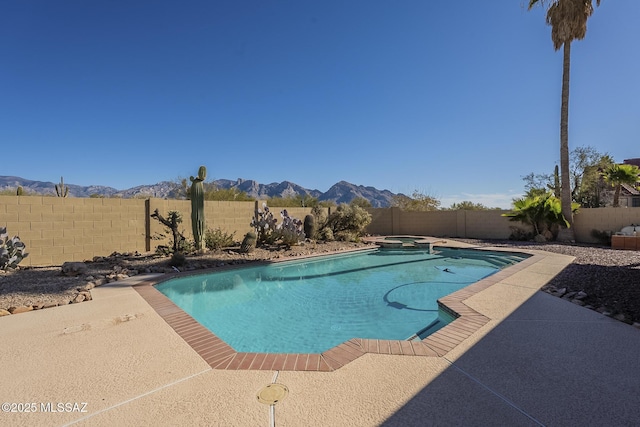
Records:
x=538, y=360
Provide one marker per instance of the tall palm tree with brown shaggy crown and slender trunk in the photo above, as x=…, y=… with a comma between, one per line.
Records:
x=568, y=21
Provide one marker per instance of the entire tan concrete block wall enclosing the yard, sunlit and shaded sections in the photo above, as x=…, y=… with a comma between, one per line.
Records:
x=57, y=230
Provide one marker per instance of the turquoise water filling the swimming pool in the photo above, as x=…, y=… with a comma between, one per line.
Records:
x=310, y=306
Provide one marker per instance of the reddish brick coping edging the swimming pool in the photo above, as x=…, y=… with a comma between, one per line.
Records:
x=219, y=355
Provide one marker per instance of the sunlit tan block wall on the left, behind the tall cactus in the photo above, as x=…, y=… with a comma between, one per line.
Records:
x=56, y=230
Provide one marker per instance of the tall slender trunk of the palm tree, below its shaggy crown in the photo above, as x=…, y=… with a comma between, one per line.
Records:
x=565, y=234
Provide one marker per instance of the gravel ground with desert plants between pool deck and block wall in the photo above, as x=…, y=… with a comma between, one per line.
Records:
x=609, y=278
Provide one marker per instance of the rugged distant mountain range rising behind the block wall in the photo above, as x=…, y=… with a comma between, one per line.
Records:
x=341, y=192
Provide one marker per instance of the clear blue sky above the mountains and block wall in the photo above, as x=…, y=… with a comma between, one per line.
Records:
x=457, y=100
